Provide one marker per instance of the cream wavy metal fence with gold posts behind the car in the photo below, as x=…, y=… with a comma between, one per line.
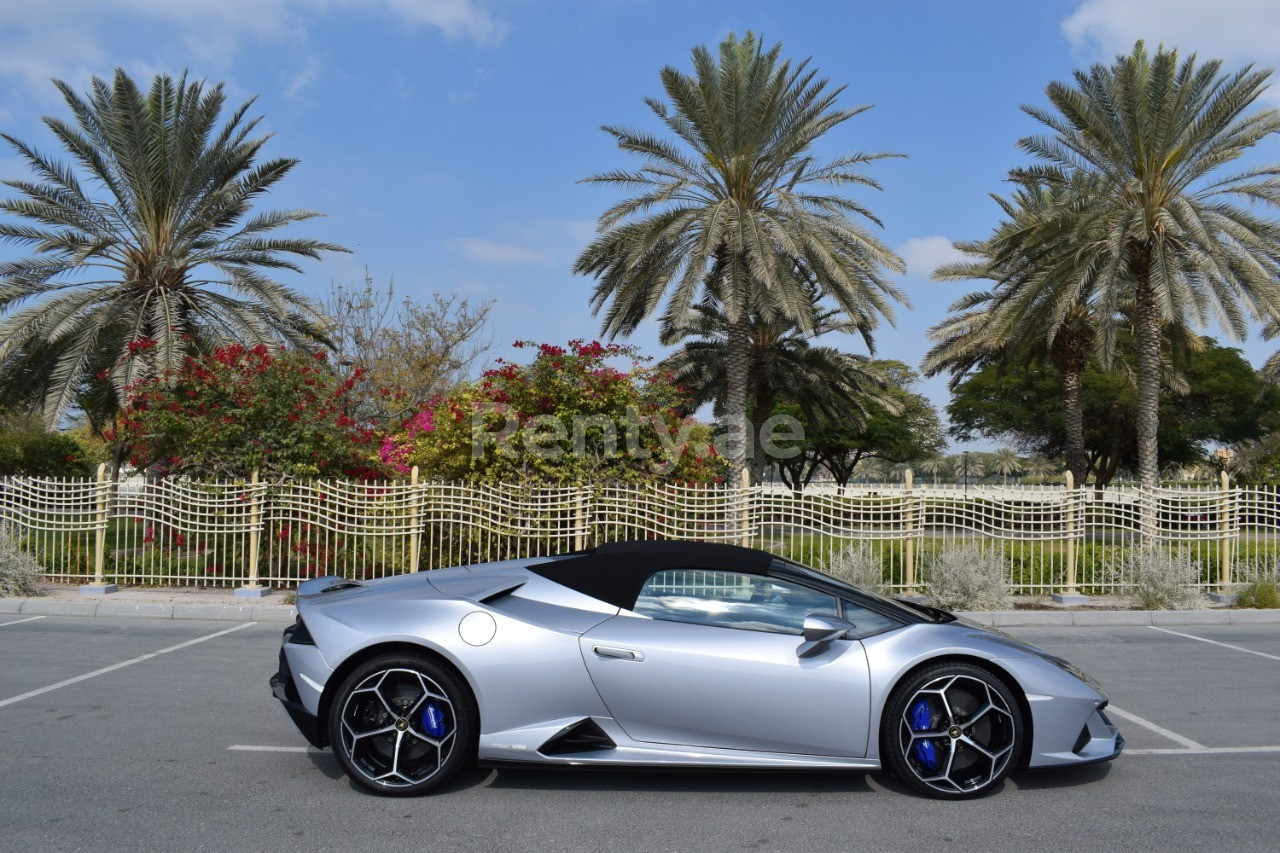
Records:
x=232, y=533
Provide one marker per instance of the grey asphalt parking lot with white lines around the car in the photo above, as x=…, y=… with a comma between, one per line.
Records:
x=162, y=735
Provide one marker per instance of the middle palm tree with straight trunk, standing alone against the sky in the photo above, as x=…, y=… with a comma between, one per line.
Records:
x=740, y=204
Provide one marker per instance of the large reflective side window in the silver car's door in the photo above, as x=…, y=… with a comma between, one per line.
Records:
x=732, y=600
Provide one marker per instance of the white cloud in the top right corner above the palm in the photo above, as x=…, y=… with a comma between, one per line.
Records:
x=1237, y=31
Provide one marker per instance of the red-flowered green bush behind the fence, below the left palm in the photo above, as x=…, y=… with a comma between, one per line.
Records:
x=243, y=409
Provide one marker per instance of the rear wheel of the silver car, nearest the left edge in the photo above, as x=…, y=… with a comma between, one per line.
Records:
x=403, y=726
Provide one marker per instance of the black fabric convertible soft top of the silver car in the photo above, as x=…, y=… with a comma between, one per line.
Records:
x=615, y=573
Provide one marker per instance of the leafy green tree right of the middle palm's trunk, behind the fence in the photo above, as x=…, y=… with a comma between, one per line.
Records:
x=899, y=431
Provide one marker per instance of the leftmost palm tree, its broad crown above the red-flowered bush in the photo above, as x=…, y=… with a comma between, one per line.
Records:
x=144, y=247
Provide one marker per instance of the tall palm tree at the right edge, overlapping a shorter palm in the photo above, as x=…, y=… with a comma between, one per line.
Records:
x=1140, y=148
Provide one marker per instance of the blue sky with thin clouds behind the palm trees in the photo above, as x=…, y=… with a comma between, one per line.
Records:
x=445, y=139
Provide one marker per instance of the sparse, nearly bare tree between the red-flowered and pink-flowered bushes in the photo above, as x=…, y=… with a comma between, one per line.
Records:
x=412, y=350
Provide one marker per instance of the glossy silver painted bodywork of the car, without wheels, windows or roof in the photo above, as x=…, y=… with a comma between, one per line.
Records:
x=668, y=694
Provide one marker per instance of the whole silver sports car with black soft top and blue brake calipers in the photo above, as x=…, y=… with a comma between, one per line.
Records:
x=671, y=655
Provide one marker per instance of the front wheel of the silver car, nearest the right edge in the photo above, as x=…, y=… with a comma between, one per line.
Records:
x=952, y=731
